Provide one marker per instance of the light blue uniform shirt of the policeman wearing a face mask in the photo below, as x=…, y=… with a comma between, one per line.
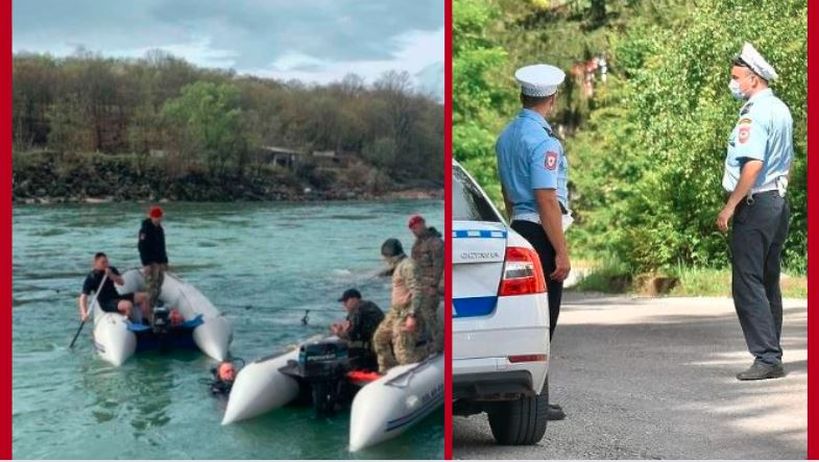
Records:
x=763, y=132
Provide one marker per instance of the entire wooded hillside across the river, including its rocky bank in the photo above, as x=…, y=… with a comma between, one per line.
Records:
x=160, y=127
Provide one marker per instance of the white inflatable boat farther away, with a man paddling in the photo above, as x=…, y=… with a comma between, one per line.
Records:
x=117, y=338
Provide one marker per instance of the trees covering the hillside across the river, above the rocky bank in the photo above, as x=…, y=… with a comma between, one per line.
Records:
x=214, y=120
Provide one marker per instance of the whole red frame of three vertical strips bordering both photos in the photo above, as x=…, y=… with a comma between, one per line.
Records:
x=6, y=230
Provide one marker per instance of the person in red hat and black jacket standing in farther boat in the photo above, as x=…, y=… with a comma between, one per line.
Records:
x=153, y=255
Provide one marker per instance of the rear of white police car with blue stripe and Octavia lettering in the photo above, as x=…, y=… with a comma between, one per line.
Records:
x=500, y=325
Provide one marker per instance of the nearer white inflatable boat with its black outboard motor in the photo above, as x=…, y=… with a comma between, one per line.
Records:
x=320, y=372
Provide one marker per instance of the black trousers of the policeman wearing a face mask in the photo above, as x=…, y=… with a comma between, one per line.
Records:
x=758, y=235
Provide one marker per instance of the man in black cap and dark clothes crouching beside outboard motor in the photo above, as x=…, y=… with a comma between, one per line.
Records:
x=363, y=318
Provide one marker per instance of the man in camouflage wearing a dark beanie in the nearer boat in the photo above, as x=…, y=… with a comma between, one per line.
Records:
x=403, y=327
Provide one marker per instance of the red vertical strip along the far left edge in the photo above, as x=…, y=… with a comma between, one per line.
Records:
x=6, y=229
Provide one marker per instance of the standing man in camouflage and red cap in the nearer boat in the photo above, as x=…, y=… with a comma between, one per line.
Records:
x=428, y=255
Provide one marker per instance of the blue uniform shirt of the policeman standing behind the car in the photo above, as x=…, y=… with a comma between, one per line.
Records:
x=529, y=158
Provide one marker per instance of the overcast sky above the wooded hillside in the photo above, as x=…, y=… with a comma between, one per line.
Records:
x=310, y=40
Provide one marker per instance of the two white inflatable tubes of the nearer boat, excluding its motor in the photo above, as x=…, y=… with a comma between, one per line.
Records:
x=381, y=408
